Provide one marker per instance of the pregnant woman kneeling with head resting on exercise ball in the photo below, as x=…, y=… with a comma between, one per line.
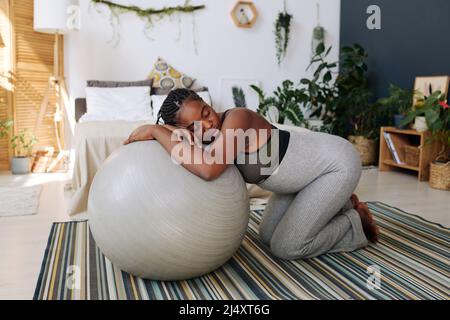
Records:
x=312, y=175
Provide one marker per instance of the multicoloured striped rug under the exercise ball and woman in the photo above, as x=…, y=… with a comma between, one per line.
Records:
x=411, y=261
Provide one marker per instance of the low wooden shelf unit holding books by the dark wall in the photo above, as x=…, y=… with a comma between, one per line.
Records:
x=402, y=137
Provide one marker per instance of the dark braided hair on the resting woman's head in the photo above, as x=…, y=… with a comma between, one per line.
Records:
x=173, y=103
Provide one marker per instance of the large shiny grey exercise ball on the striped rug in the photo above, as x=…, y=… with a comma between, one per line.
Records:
x=154, y=219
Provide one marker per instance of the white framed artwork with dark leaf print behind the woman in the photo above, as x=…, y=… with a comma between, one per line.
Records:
x=237, y=93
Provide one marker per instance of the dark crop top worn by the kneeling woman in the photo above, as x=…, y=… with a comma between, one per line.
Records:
x=257, y=166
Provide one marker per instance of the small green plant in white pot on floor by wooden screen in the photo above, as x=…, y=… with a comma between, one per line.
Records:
x=22, y=144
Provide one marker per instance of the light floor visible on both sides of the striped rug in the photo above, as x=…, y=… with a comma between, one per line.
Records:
x=23, y=239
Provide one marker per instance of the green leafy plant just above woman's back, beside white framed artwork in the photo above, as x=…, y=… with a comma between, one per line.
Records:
x=287, y=100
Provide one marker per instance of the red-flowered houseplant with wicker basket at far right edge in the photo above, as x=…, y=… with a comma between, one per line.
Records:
x=436, y=111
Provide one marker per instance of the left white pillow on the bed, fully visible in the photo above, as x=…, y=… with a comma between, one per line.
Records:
x=122, y=103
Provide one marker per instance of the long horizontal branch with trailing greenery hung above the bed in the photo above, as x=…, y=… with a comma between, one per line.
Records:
x=148, y=15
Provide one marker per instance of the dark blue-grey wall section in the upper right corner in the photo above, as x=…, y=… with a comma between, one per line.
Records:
x=414, y=39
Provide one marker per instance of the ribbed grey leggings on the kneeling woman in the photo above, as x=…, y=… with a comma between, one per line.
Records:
x=310, y=212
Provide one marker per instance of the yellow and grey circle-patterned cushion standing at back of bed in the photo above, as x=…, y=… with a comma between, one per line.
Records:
x=167, y=78
